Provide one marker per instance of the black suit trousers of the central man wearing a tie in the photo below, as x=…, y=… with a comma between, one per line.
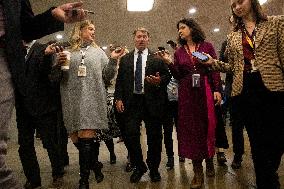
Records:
x=137, y=111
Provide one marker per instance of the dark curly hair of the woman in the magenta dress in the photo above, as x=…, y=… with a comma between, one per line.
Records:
x=197, y=33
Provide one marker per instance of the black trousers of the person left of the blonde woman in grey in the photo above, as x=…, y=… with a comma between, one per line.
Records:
x=47, y=126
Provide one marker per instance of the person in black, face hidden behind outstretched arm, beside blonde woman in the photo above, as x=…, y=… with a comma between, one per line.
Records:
x=40, y=109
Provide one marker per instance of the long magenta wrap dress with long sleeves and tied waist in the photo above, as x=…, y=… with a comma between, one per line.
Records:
x=196, y=121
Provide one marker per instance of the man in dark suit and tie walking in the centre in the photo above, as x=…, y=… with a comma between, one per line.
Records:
x=141, y=94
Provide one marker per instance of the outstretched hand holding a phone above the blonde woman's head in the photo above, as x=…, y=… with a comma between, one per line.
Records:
x=69, y=12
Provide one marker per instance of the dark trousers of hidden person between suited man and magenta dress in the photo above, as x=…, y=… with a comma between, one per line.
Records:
x=171, y=117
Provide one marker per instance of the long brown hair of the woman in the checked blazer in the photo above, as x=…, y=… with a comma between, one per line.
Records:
x=259, y=15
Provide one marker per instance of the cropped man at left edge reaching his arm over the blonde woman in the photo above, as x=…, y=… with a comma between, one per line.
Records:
x=18, y=22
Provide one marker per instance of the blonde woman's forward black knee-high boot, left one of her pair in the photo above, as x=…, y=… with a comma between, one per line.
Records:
x=85, y=157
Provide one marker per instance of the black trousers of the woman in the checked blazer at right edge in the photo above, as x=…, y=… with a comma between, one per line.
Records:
x=263, y=112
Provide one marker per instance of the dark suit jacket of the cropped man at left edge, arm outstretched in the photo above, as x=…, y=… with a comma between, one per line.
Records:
x=20, y=23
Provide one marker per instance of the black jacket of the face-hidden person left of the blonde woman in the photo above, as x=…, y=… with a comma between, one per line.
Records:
x=42, y=96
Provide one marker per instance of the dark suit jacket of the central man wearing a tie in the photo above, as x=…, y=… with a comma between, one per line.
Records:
x=156, y=96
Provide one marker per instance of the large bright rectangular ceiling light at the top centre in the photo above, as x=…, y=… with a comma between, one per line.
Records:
x=140, y=5
